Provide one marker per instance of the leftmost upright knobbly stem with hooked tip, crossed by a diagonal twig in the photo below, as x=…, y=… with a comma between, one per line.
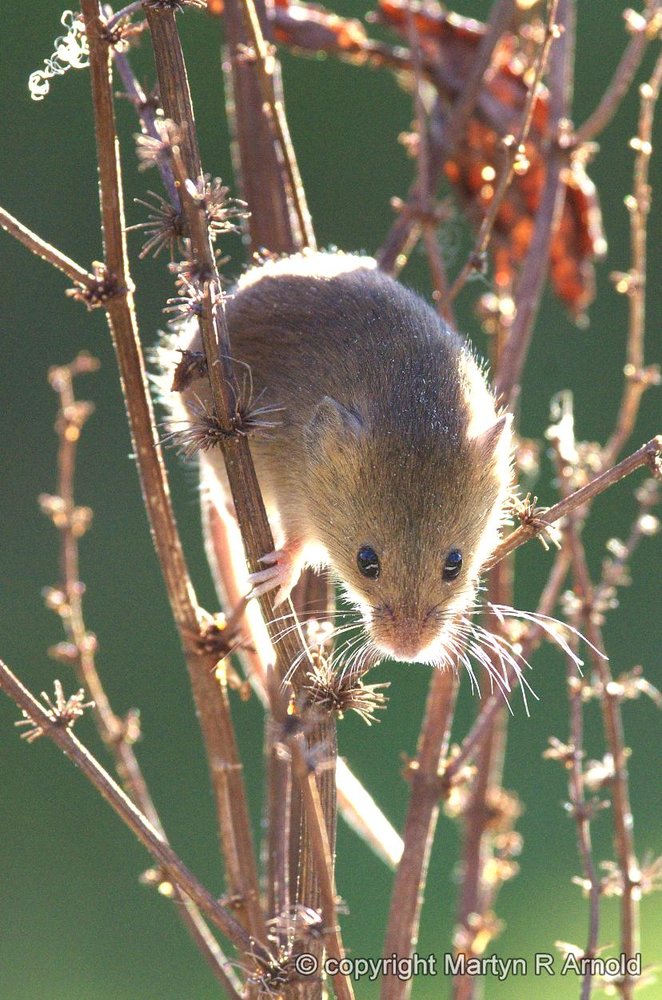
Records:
x=113, y=731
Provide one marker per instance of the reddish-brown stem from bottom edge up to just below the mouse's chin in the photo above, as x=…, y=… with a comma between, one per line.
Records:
x=420, y=825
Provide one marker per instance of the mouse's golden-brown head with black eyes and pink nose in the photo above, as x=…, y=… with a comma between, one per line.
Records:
x=408, y=518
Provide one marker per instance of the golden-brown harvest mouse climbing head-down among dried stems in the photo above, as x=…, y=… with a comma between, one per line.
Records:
x=387, y=461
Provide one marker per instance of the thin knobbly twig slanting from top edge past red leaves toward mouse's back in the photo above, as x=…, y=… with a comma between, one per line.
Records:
x=514, y=152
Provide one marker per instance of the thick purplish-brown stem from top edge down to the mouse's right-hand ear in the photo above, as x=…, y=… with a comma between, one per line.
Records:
x=530, y=284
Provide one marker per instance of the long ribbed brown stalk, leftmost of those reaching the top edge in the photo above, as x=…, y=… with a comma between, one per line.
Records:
x=210, y=696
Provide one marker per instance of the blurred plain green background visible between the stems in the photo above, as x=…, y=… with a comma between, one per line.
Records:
x=74, y=922
